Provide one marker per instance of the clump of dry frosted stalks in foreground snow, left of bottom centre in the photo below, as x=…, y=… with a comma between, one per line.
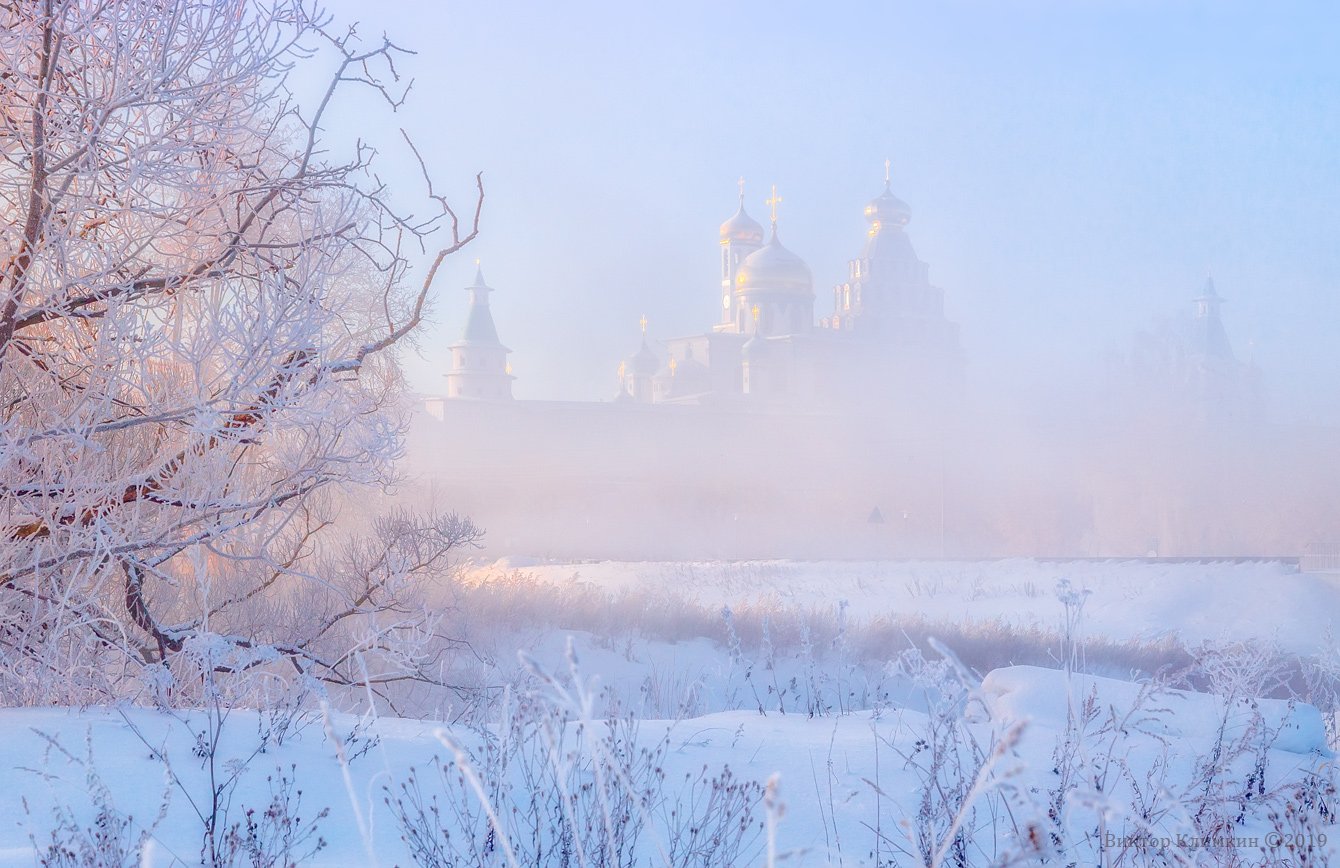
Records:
x=554, y=784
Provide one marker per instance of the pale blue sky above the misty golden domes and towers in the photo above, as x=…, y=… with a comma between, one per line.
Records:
x=1074, y=168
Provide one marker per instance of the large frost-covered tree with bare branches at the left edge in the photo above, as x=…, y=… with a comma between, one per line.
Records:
x=199, y=294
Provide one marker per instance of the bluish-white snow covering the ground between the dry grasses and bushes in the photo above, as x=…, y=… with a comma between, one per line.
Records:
x=837, y=772
